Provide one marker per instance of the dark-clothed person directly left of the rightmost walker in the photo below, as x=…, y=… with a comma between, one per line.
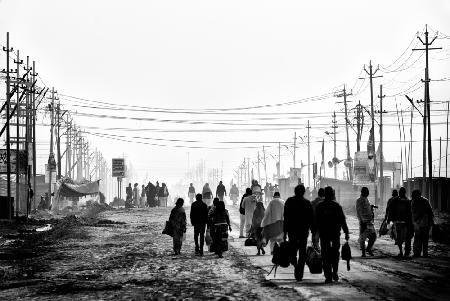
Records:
x=398, y=211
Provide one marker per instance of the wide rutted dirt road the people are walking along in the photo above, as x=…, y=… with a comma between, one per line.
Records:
x=125, y=257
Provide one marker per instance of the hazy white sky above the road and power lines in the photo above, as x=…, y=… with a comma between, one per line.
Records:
x=227, y=54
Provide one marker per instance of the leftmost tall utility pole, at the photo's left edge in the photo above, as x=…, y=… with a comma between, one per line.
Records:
x=8, y=137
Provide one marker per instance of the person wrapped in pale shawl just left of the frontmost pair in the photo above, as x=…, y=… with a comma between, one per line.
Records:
x=272, y=222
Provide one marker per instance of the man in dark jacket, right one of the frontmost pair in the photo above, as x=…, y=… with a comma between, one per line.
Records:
x=330, y=219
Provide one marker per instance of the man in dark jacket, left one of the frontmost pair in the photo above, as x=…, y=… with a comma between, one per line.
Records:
x=298, y=220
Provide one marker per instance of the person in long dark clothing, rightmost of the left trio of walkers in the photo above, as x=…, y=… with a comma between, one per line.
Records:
x=221, y=221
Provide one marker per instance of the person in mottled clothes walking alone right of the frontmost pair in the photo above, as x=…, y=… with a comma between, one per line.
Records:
x=364, y=212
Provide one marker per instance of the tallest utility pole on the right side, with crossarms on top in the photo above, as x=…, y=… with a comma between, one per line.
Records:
x=427, y=45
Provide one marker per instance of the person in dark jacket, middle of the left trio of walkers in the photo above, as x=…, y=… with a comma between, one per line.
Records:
x=199, y=218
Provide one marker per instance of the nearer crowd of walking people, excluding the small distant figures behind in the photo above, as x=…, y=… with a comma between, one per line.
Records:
x=293, y=220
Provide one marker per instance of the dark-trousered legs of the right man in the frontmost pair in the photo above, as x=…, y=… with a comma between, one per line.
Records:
x=330, y=257
